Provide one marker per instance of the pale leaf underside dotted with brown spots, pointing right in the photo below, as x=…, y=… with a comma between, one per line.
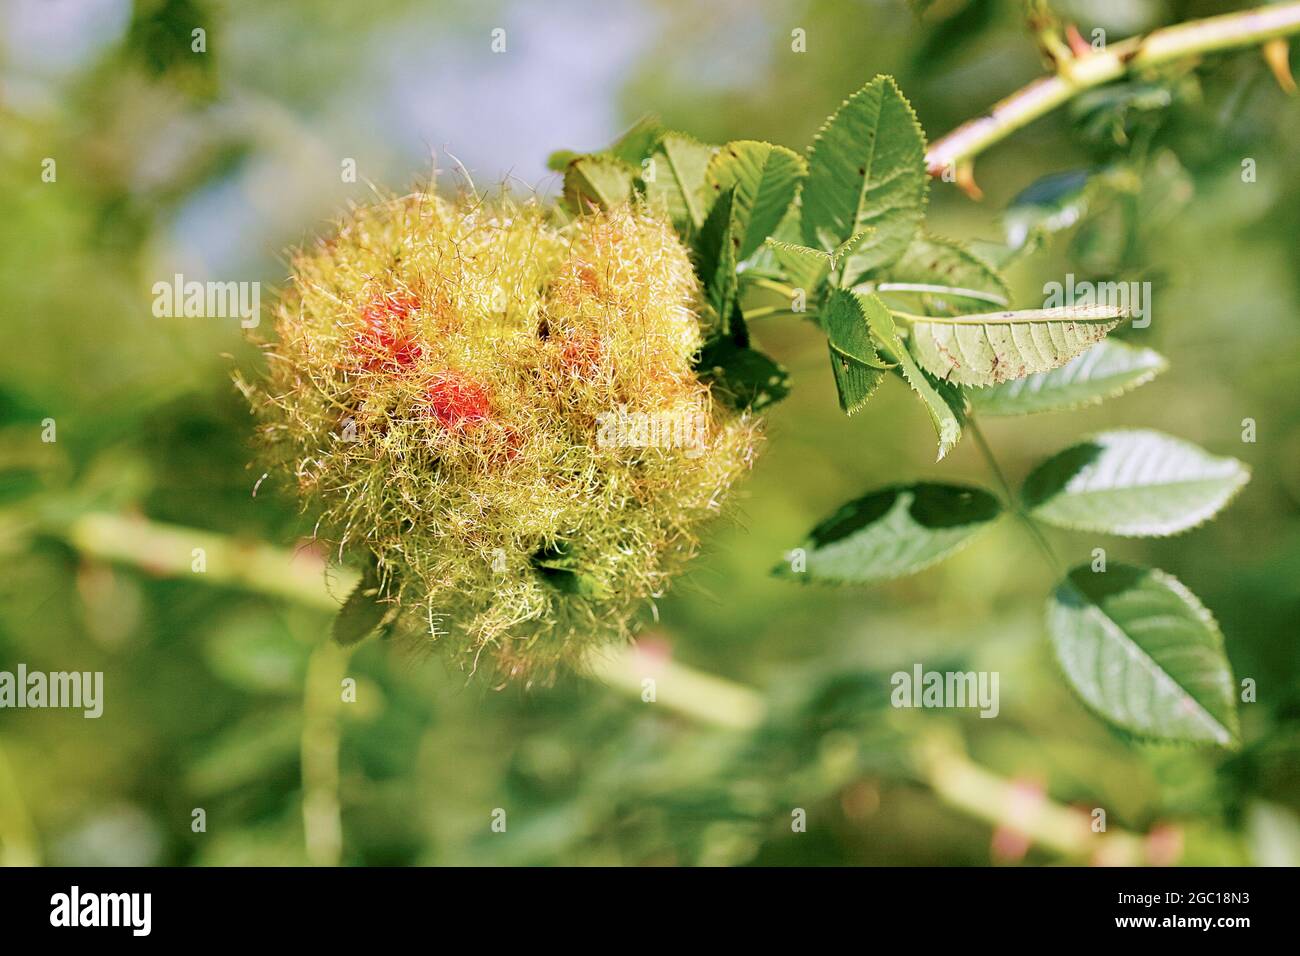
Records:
x=991, y=348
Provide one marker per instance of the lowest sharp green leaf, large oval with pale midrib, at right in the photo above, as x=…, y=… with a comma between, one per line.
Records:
x=1143, y=654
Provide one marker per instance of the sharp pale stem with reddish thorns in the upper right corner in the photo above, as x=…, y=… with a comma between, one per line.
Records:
x=1095, y=68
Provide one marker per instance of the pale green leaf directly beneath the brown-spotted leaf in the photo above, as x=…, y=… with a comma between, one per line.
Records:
x=1107, y=370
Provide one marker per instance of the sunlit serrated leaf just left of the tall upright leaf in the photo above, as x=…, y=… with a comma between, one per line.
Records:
x=765, y=178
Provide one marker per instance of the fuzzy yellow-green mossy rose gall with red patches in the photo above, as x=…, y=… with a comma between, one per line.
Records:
x=500, y=405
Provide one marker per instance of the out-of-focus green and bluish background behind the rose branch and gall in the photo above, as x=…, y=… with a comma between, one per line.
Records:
x=211, y=165
